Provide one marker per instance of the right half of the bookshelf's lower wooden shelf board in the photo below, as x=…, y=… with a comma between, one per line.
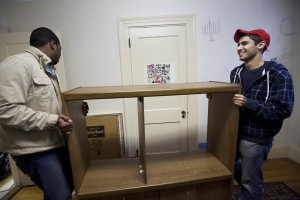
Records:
x=177, y=169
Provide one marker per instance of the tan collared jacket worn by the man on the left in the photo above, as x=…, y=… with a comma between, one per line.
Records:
x=30, y=103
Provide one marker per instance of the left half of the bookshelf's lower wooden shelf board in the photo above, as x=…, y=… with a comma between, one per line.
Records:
x=107, y=177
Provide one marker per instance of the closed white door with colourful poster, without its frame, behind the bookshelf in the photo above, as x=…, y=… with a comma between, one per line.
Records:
x=154, y=48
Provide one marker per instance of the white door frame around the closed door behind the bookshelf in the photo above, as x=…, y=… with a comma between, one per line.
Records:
x=130, y=128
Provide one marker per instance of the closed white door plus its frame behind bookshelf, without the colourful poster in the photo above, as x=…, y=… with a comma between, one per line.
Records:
x=160, y=40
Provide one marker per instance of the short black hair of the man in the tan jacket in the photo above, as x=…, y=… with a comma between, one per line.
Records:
x=41, y=36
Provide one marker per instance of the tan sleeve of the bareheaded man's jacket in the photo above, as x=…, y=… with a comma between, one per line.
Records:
x=15, y=81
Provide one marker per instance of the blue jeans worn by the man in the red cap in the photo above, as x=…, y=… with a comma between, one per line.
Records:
x=248, y=169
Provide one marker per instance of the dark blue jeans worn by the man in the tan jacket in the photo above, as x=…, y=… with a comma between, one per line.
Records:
x=50, y=171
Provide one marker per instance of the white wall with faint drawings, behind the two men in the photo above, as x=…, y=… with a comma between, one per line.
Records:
x=90, y=39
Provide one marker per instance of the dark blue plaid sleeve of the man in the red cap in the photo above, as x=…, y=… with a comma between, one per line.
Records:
x=281, y=99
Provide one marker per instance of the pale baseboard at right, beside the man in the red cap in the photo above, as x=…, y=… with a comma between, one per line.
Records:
x=285, y=151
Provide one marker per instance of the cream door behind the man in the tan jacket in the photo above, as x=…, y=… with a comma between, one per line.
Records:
x=14, y=43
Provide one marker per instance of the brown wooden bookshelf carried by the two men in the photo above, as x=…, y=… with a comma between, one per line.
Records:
x=190, y=175
